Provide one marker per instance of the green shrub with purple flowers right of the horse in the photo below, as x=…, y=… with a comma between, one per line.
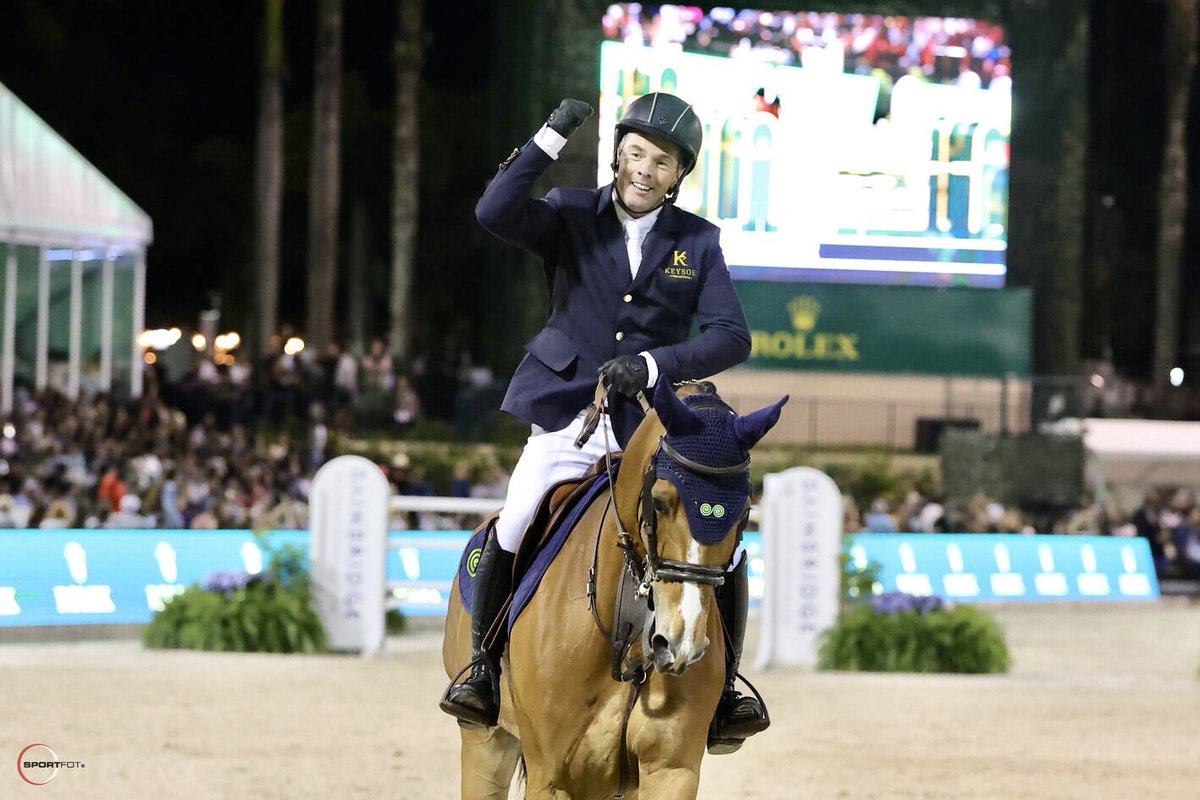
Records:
x=898, y=633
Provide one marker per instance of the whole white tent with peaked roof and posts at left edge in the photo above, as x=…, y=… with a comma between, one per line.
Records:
x=58, y=210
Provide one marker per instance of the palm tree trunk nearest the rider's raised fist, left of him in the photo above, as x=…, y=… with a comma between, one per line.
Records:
x=405, y=163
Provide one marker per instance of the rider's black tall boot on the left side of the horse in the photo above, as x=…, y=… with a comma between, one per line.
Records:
x=477, y=700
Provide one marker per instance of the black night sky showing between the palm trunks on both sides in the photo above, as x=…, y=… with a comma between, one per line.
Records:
x=161, y=97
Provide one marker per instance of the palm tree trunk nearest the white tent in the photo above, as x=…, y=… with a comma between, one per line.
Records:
x=269, y=178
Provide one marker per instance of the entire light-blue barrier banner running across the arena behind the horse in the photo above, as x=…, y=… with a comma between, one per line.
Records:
x=73, y=578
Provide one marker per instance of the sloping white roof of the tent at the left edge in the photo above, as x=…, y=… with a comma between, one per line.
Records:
x=52, y=196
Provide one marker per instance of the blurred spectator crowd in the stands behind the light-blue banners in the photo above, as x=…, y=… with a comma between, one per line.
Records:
x=231, y=458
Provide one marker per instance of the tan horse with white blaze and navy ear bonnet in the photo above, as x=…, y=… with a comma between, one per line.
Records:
x=683, y=490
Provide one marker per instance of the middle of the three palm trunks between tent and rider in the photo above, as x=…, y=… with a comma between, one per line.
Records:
x=325, y=176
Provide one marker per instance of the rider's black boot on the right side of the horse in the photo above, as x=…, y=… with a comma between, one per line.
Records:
x=737, y=717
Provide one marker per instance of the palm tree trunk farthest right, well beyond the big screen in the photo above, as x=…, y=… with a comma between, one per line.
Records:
x=1180, y=61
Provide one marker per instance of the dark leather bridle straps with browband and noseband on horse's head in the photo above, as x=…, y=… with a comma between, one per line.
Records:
x=653, y=568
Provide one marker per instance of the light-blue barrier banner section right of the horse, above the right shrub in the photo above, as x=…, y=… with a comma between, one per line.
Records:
x=989, y=568
